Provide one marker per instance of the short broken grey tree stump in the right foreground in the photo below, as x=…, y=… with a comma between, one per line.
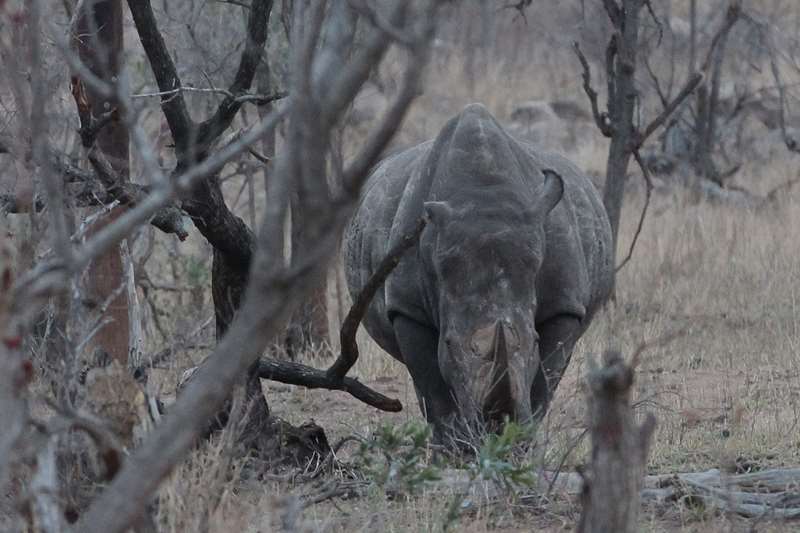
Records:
x=613, y=483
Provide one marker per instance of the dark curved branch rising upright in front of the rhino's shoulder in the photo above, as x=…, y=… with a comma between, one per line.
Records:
x=349, y=348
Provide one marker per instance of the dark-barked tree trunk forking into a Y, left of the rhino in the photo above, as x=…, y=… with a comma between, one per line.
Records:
x=232, y=240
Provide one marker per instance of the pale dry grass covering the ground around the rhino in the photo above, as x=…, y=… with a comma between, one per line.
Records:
x=724, y=389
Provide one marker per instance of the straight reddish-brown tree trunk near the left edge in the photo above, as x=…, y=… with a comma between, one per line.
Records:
x=98, y=37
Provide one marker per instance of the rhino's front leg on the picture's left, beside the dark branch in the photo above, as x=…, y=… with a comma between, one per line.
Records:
x=419, y=346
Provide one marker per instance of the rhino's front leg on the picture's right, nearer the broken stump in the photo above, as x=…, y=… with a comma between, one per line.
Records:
x=557, y=338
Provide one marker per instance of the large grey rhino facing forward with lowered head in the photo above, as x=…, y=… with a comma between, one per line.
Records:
x=514, y=262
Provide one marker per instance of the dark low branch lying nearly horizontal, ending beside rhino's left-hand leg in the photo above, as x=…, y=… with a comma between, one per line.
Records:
x=298, y=374
